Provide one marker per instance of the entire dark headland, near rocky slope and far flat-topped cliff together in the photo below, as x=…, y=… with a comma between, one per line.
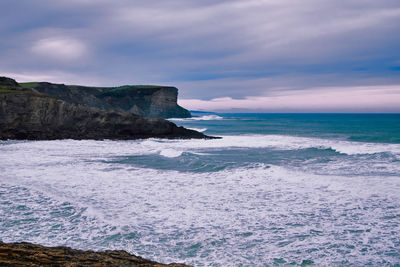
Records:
x=45, y=111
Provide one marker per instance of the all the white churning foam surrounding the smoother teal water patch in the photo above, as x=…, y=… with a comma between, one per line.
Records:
x=67, y=193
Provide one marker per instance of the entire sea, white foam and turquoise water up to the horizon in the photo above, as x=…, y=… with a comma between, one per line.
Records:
x=276, y=190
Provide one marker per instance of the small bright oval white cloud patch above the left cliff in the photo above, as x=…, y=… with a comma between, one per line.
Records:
x=60, y=48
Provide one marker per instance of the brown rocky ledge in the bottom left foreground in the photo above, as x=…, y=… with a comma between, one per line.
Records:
x=26, y=254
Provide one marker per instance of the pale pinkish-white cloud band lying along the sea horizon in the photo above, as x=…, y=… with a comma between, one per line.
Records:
x=337, y=99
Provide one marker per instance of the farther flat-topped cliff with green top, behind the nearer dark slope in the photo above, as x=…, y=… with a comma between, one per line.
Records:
x=146, y=100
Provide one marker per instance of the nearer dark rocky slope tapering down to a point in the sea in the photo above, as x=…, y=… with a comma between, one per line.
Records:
x=27, y=114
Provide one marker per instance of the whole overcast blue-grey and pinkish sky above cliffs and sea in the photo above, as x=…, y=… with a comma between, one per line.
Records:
x=254, y=55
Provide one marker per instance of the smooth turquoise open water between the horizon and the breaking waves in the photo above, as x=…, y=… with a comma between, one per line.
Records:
x=354, y=127
